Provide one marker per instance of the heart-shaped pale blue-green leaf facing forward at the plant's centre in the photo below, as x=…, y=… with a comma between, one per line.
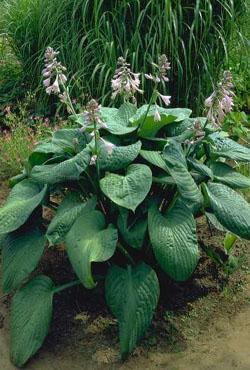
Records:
x=130, y=190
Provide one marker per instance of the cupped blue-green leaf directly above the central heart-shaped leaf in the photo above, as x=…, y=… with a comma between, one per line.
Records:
x=120, y=157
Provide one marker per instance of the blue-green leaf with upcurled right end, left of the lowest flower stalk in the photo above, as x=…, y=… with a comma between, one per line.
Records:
x=65, y=171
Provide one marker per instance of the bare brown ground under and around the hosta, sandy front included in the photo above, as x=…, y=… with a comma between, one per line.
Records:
x=202, y=324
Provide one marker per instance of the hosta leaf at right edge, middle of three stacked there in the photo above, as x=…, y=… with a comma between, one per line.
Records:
x=229, y=176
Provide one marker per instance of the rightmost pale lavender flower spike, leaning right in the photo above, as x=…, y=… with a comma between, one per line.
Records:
x=220, y=102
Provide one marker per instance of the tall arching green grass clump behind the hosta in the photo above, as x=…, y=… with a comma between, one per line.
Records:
x=92, y=34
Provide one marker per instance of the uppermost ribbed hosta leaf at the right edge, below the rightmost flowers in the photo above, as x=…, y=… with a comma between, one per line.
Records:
x=227, y=148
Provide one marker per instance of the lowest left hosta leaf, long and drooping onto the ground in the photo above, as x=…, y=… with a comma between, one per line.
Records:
x=30, y=317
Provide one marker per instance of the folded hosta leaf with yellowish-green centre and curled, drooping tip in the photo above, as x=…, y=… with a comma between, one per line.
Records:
x=90, y=241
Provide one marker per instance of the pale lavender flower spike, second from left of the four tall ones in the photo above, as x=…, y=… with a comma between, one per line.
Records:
x=125, y=82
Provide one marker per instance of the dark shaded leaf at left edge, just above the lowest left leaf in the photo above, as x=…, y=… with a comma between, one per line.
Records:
x=21, y=253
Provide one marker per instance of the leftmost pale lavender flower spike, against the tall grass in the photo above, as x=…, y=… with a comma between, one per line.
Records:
x=53, y=73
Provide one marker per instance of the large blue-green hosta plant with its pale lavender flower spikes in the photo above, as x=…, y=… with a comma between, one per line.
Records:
x=125, y=185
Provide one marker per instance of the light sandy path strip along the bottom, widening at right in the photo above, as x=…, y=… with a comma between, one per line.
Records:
x=225, y=347
